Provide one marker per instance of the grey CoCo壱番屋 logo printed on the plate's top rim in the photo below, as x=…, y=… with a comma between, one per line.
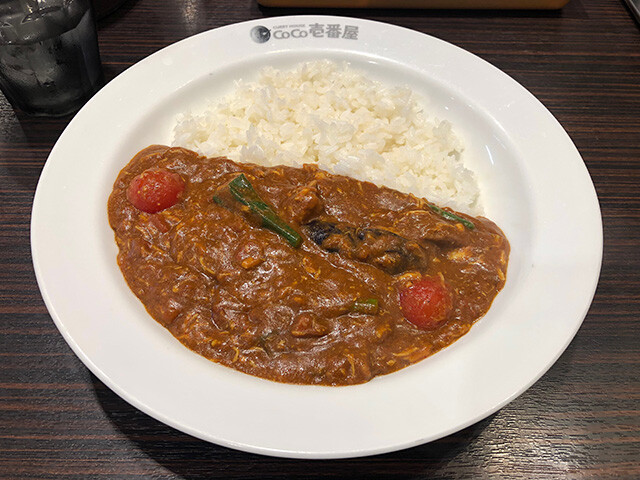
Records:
x=262, y=34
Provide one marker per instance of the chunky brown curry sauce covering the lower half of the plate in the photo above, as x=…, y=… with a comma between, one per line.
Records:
x=333, y=308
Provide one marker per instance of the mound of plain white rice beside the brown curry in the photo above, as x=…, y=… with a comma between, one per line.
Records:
x=330, y=114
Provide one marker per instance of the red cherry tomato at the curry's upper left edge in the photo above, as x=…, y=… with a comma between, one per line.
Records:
x=154, y=190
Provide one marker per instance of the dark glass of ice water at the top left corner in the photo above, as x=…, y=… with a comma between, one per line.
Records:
x=49, y=58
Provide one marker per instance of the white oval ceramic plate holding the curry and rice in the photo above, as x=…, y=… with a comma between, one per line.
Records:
x=535, y=186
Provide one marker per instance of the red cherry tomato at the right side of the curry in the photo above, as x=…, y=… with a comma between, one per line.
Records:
x=426, y=303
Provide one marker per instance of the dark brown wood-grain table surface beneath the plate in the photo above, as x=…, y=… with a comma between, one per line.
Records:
x=581, y=420
